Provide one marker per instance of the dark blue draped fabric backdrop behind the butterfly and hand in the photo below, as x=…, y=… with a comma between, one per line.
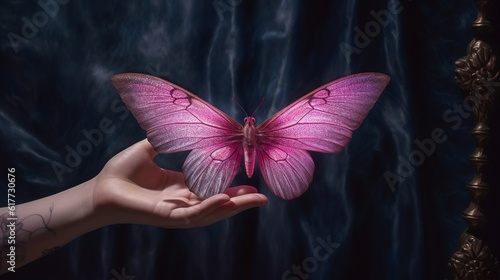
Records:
x=387, y=207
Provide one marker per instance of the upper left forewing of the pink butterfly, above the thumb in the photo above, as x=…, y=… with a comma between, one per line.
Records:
x=174, y=119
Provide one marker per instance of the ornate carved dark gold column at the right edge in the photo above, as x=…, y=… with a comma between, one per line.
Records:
x=478, y=74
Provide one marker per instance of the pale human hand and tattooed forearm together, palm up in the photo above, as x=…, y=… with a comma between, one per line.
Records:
x=130, y=189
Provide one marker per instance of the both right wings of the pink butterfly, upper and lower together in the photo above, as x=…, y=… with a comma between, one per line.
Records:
x=322, y=121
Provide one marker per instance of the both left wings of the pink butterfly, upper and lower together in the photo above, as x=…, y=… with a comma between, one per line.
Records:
x=177, y=120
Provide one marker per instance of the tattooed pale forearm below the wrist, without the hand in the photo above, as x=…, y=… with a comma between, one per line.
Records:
x=43, y=225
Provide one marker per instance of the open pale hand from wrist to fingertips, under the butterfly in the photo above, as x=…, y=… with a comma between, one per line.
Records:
x=131, y=188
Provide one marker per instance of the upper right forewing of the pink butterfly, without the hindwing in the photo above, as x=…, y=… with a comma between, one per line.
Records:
x=325, y=119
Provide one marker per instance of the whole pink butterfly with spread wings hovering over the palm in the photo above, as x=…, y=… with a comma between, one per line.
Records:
x=177, y=120
